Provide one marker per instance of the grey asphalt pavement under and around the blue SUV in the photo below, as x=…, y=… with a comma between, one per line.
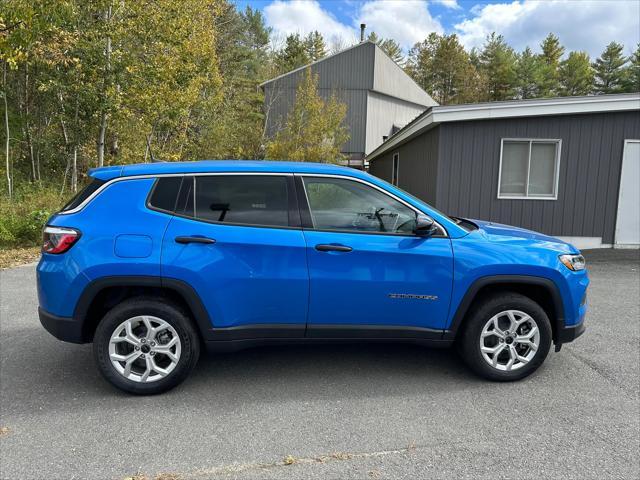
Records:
x=350, y=411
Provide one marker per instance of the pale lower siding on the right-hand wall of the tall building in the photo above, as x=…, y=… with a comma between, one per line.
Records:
x=383, y=112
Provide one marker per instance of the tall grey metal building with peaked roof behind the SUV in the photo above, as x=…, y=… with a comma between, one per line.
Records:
x=380, y=97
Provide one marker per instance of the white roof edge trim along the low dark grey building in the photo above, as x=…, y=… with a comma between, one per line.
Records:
x=509, y=109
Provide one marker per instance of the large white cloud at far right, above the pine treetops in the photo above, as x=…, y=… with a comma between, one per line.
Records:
x=585, y=25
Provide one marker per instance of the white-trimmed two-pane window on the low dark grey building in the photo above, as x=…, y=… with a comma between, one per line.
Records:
x=529, y=169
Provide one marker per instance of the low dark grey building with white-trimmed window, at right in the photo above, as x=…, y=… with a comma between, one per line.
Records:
x=568, y=167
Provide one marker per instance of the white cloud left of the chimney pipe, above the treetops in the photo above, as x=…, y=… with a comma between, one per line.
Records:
x=304, y=16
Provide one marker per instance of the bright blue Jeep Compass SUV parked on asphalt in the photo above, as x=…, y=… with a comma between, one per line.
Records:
x=152, y=262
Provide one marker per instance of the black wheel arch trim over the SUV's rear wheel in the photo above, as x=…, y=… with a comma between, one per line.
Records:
x=104, y=293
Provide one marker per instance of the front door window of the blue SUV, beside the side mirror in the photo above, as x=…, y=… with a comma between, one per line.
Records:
x=338, y=204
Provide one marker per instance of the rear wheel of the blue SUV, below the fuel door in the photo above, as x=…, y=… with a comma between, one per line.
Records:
x=168, y=351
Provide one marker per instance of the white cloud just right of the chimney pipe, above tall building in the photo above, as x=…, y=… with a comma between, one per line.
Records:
x=407, y=22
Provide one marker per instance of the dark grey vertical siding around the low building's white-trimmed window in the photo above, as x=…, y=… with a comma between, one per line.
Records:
x=590, y=163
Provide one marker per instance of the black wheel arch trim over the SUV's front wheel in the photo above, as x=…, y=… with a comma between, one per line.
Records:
x=541, y=290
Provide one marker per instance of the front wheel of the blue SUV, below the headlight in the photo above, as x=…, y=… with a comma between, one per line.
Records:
x=491, y=319
